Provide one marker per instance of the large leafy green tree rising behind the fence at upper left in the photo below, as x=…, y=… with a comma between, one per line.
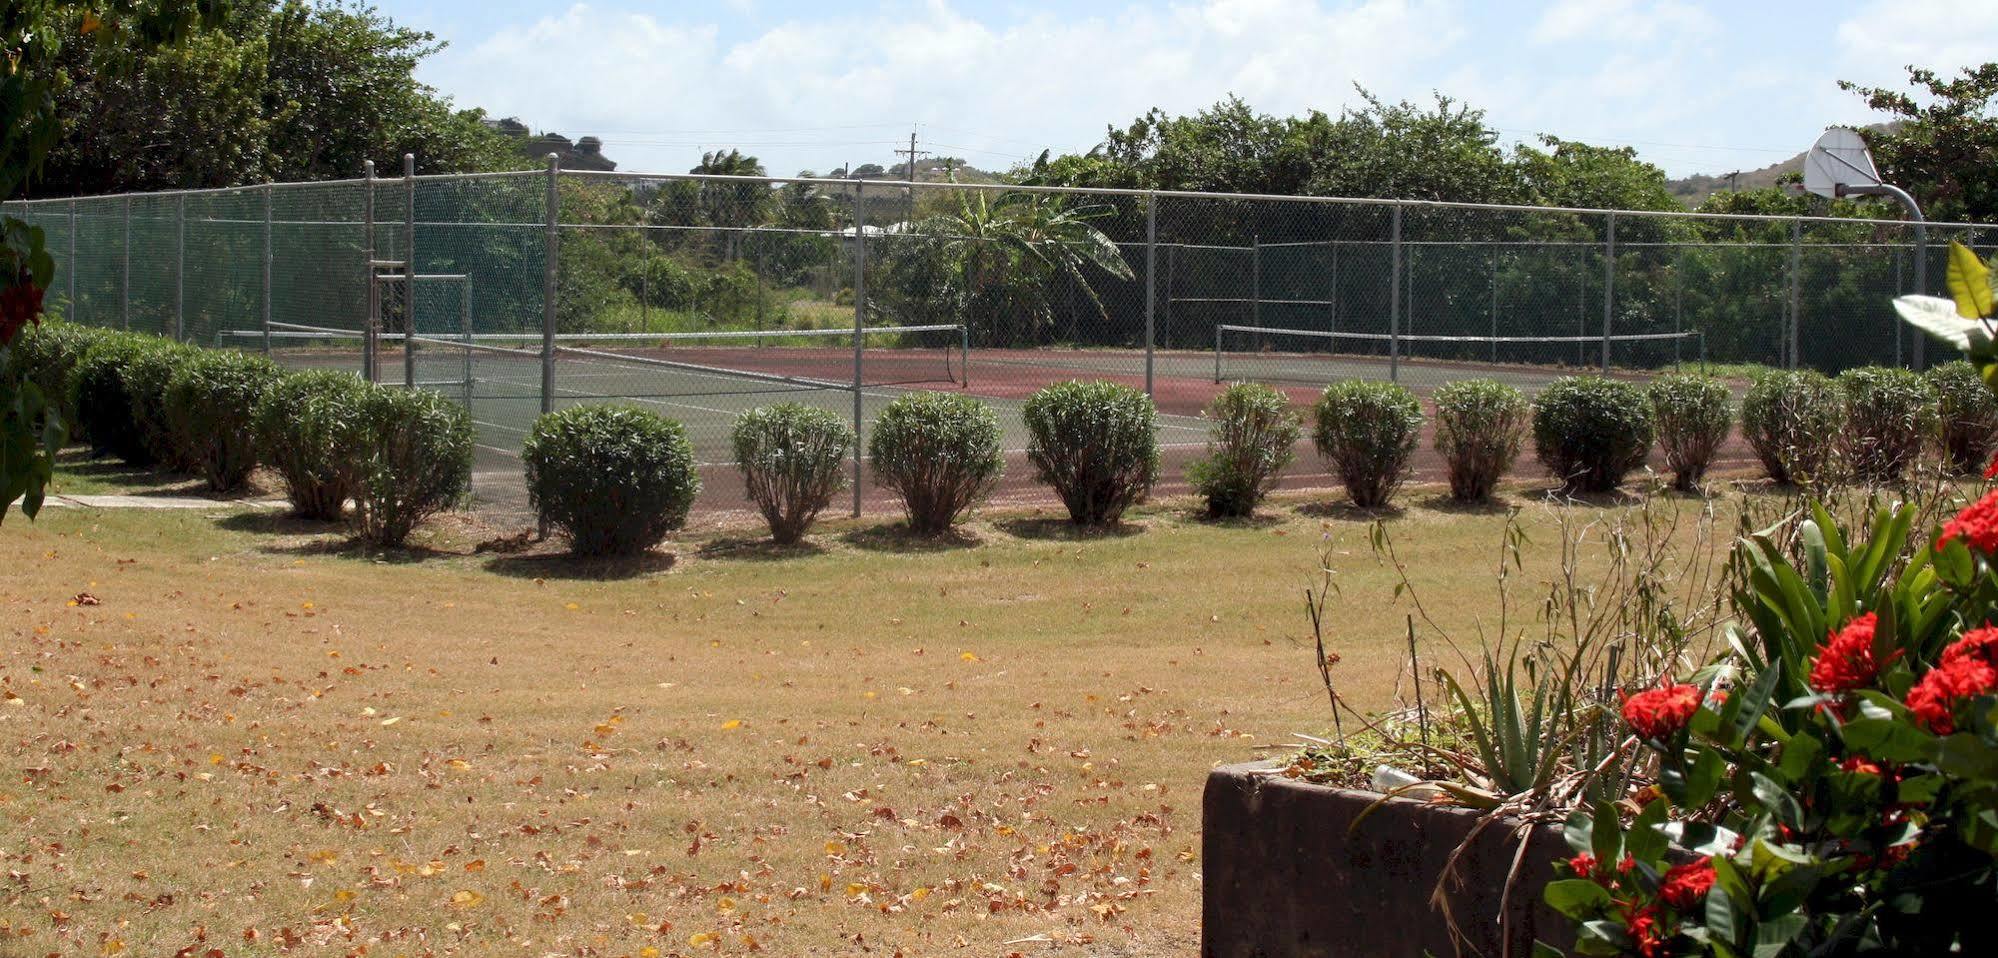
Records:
x=277, y=91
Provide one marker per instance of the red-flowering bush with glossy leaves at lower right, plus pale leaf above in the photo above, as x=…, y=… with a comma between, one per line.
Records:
x=1831, y=787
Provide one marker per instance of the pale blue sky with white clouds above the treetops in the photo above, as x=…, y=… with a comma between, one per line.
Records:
x=1695, y=87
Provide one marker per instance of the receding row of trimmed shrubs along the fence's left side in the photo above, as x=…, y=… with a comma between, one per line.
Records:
x=399, y=455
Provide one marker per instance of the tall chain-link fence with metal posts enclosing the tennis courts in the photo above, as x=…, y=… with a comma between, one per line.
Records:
x=704, y=297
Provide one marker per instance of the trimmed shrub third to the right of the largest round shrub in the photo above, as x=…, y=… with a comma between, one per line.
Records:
x=1098, y=443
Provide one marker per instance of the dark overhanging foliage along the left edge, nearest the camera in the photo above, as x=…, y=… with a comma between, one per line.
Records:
x=33, y=37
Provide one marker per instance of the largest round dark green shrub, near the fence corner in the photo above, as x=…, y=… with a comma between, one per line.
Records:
x=614, y=479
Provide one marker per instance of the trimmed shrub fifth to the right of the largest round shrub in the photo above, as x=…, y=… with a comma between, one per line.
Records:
x=1368, y=431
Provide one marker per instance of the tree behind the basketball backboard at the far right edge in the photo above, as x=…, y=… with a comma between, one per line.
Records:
x=1943, y=145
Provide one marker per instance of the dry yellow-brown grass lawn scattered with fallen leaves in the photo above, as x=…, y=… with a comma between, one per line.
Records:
x=233, y=735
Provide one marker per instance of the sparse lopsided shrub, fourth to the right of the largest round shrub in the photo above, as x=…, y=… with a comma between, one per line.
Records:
x=1250, y=443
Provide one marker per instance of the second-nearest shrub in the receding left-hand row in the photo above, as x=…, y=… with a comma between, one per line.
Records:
x=301, y=427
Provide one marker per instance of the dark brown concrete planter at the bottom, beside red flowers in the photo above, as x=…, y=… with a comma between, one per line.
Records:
x=1286, y=875
